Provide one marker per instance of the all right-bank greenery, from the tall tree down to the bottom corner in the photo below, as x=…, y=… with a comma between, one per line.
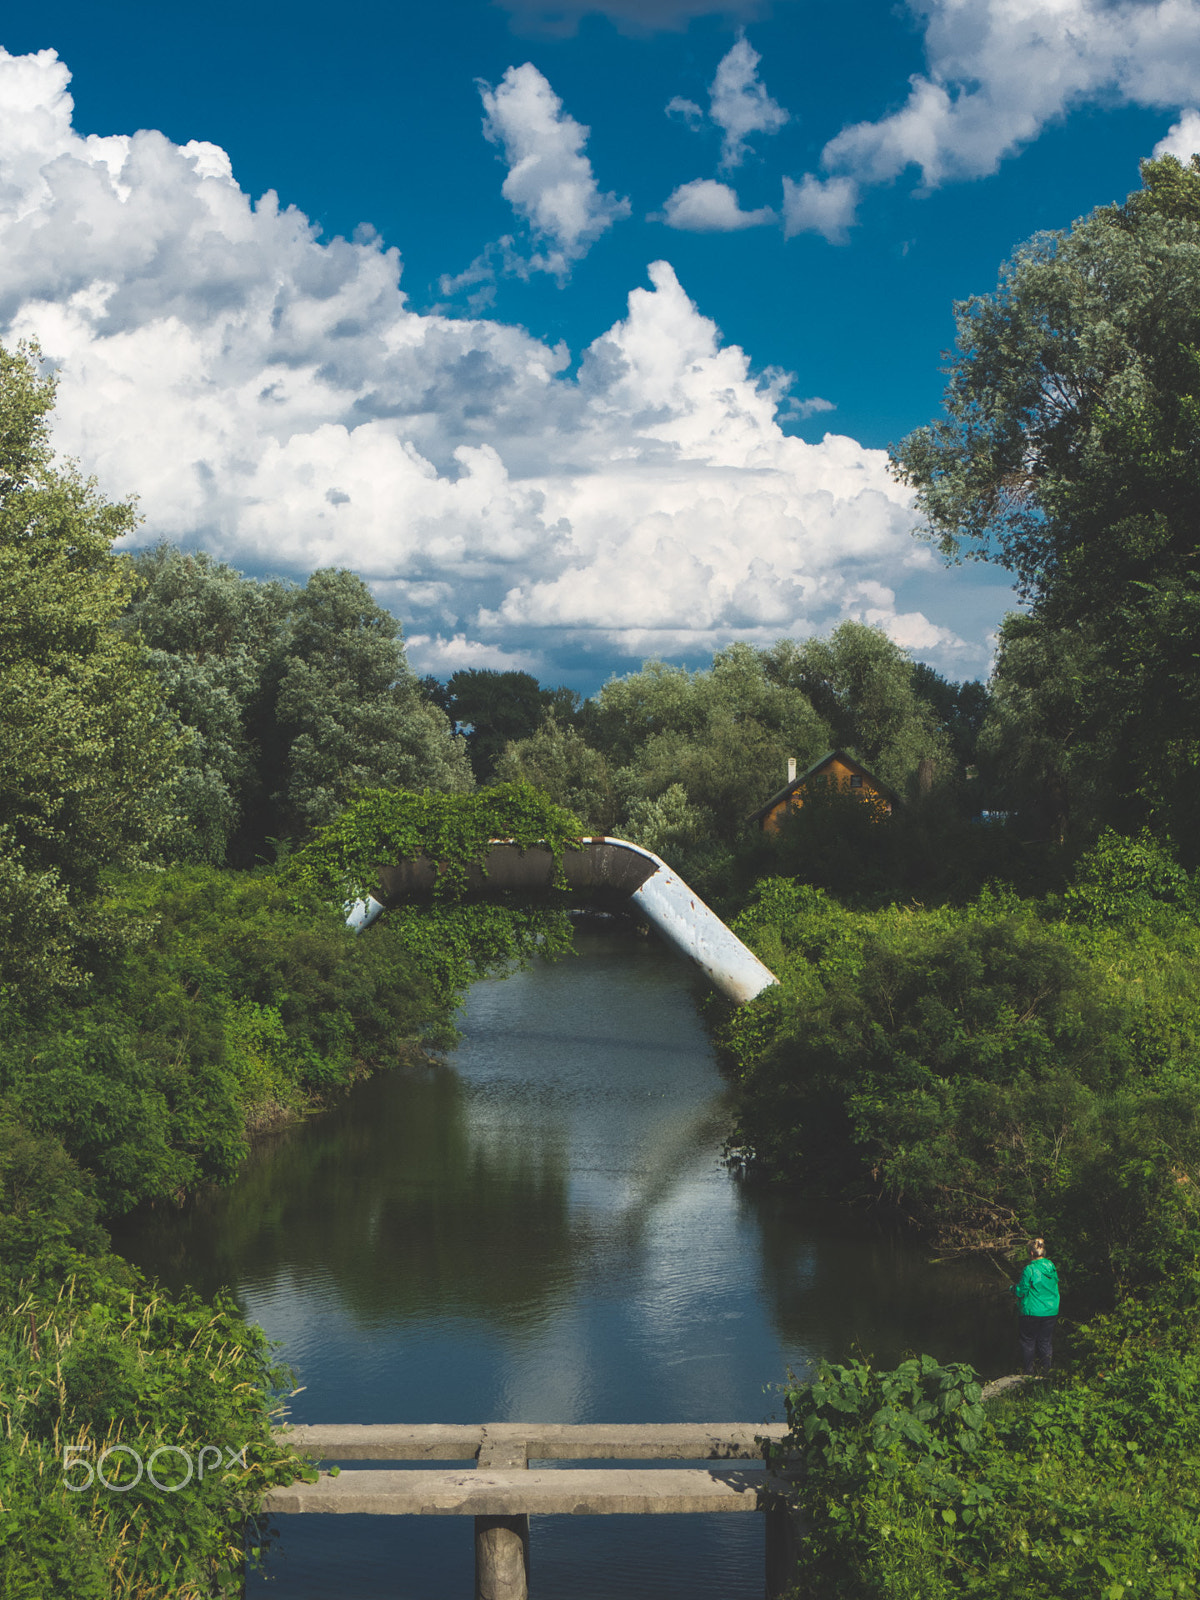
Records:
x=1004, y=1065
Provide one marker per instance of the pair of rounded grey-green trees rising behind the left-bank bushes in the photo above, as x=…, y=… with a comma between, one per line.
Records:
x=287, y=700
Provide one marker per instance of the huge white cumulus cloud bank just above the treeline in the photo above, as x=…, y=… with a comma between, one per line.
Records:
x=274, y=399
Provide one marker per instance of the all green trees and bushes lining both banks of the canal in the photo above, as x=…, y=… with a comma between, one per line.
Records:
x=988, y=1001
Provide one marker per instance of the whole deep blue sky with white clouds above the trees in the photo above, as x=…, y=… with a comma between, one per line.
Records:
x=529, y=466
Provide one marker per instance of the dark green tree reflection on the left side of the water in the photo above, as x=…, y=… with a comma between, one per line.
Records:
x=390, y=1198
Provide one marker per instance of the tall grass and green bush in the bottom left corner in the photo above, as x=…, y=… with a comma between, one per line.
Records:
x=108, y=1364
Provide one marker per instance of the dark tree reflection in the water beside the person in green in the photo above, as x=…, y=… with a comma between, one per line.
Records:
x=847, y=1286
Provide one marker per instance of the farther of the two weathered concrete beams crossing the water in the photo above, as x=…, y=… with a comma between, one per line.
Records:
x=540, y=1441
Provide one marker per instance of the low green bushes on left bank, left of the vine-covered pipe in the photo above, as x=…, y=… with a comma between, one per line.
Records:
x=233, y=1009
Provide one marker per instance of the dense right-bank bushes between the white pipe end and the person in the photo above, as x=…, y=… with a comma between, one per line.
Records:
x=999, y=1070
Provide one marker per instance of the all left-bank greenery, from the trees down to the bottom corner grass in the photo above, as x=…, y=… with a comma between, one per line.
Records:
x=170, y=983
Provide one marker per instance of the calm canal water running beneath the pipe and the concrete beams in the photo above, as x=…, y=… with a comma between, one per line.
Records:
x=543, y=1230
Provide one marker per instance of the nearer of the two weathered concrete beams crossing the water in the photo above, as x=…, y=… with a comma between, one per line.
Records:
x=580, y=1492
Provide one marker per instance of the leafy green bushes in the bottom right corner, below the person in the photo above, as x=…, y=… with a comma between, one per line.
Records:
x=911, y=1490
